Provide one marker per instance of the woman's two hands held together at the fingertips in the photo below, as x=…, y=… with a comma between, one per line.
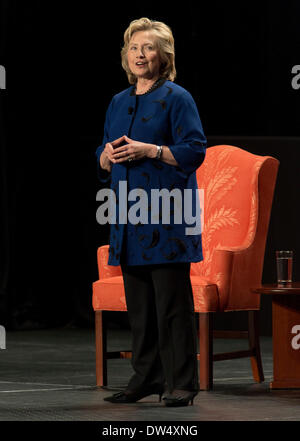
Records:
x=133, y=150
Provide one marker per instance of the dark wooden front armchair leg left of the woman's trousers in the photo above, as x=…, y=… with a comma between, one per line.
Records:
x=100, y=340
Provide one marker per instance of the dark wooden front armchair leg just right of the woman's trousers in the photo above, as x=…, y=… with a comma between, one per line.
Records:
x=206, y=351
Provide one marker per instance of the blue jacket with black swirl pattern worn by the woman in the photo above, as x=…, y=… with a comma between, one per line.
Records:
x=166, y=116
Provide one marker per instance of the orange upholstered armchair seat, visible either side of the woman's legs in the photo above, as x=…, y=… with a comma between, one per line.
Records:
x=109, y=294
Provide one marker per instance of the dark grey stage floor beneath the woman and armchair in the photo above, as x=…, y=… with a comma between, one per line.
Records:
x=49, y=375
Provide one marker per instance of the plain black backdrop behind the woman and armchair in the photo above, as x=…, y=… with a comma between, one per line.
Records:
x=63, y=66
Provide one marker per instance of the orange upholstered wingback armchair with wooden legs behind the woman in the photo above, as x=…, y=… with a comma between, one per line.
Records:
x=238, y=193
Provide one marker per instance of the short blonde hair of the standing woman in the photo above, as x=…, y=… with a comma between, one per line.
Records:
x=165, y=46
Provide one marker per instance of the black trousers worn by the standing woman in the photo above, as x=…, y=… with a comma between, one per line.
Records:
x=161, y=315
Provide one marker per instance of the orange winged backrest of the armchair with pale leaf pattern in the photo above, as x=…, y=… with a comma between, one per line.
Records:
x=238, y=192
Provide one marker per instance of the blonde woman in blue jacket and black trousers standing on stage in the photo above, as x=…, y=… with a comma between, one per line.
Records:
x=153, y=139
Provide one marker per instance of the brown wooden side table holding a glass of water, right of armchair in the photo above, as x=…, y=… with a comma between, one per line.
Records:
x=286, y=333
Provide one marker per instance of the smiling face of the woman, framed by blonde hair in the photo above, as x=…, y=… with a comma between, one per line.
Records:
x=143, y=56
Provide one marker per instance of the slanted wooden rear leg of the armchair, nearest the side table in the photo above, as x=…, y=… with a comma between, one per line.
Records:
x=256, y=363
